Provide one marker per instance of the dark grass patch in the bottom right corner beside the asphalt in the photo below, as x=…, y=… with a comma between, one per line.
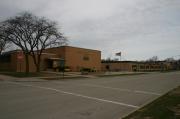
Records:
x=165, y=107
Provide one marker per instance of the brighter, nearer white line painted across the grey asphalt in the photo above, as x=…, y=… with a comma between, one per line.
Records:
x=78, y=95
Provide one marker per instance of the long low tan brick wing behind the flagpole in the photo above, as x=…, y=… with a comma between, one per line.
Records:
x=135, y=66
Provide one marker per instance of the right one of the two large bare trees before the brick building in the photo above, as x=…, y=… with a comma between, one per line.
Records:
x=47, y=35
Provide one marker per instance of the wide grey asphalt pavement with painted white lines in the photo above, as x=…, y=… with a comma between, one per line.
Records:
x=93, y=98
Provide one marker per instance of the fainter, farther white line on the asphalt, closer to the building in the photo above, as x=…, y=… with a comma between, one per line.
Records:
x=119, y=89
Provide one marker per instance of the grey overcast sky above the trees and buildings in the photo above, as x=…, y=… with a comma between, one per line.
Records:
x=139, y=29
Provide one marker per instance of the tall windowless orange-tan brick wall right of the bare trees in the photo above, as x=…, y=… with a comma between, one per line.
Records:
x=78, y=58
